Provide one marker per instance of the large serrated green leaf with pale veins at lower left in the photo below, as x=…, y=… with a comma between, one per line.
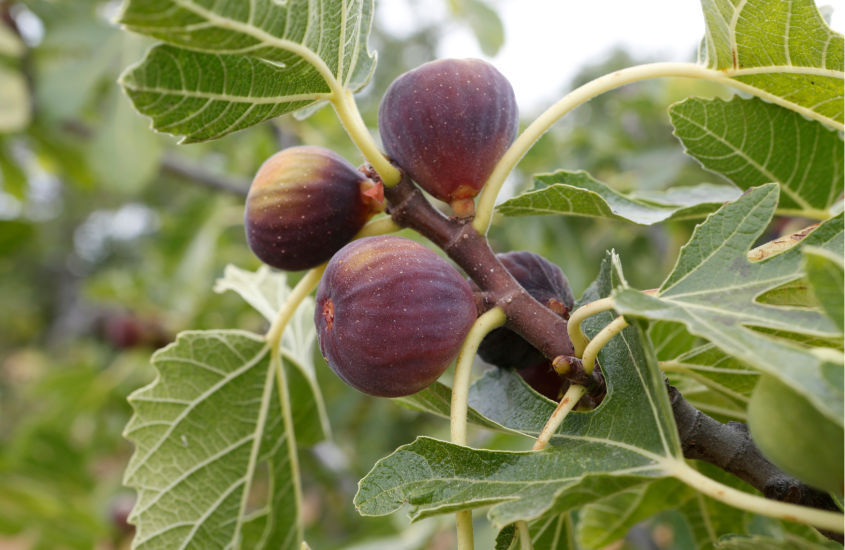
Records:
x=204, y=431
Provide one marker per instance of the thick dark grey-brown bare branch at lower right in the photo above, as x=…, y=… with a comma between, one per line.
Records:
x=730, y=447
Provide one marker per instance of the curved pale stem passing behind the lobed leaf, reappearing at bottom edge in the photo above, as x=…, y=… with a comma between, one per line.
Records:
x=460, y=393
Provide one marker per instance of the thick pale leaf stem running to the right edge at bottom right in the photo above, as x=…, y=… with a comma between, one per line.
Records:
x=831, y=521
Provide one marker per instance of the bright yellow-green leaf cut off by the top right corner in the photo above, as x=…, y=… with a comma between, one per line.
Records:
x=781, y=51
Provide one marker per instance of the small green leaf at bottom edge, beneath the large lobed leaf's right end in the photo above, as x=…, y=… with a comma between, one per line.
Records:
x=608, y=520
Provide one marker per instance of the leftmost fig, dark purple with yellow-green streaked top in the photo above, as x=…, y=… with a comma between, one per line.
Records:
x=304, y=204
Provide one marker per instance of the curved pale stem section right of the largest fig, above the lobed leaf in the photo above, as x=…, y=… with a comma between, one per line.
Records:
x=460, y=387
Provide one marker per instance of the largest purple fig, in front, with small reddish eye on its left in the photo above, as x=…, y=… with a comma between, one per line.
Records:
x=391, y=315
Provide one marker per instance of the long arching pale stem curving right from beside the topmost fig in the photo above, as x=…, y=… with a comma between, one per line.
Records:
x=526, y=140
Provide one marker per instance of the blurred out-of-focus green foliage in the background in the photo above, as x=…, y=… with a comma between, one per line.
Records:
x=107, y=251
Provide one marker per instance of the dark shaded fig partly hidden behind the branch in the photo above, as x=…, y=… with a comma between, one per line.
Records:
x=544, y=281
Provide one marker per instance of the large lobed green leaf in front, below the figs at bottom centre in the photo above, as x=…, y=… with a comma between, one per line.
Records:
x=629, y=440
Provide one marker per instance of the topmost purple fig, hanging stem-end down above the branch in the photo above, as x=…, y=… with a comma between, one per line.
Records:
x=447, y=123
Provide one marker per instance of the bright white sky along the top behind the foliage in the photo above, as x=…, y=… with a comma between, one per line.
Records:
x=547, y=41
